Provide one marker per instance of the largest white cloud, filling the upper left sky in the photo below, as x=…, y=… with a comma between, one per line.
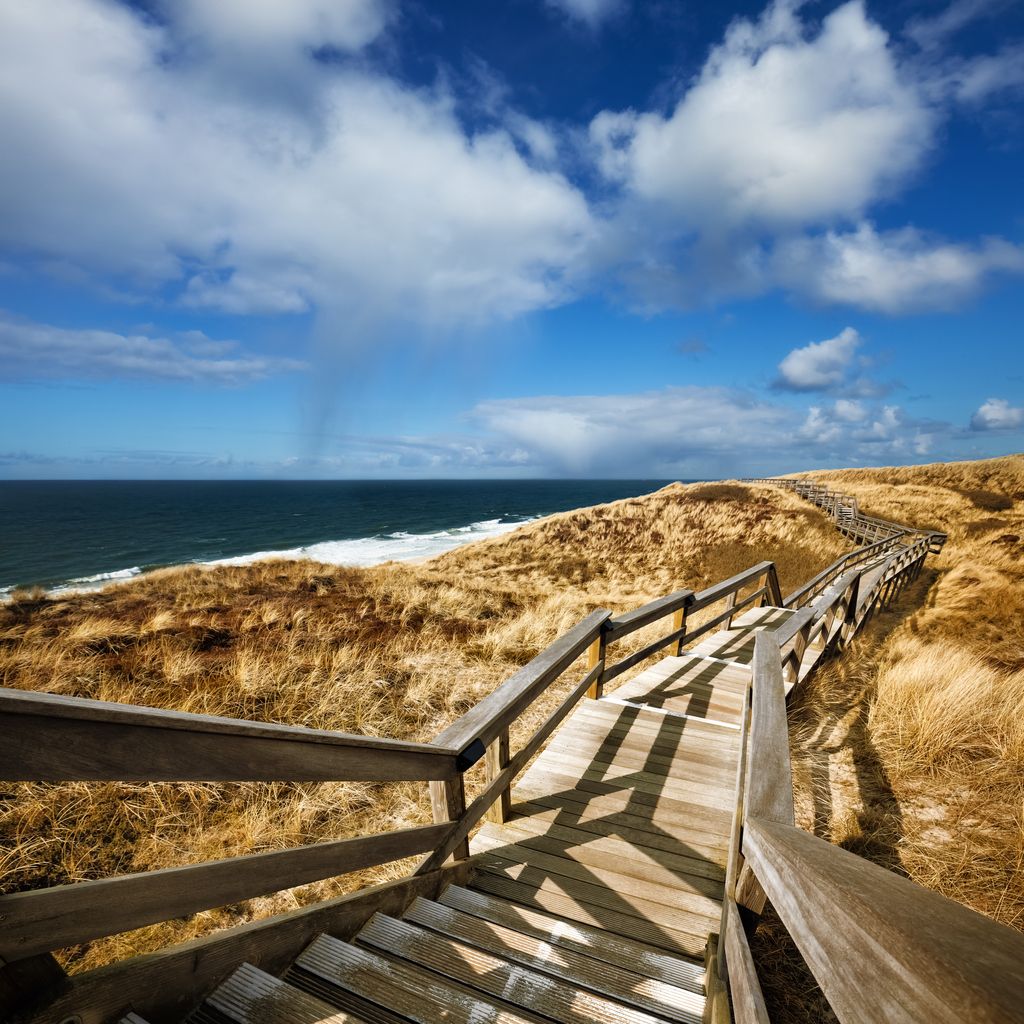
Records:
x=132, y=152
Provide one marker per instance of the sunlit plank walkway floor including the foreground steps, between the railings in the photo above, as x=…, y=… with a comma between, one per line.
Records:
x=594, y=902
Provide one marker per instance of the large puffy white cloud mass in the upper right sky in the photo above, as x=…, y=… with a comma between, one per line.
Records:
x=763, y=174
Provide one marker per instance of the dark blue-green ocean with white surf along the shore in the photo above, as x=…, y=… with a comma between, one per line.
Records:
x=71, y=535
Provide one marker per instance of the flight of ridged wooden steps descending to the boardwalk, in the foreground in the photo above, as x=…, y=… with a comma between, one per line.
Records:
x=468, y=957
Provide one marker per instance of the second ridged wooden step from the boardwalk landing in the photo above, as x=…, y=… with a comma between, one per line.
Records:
x=650, y=995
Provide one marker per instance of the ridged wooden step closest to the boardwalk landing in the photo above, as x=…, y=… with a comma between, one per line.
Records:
x=607, y=947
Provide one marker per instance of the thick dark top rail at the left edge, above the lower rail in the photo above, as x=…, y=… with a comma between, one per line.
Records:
x=52, y=739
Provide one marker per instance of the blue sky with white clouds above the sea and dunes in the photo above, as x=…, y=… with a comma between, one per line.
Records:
x=373, y=239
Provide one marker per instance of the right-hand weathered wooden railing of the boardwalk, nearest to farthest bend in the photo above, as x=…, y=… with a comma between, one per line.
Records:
x=883, y=949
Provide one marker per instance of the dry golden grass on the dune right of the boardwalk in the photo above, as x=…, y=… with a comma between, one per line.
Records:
x=910, y=750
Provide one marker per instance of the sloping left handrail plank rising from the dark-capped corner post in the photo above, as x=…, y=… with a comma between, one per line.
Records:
x=497, y=711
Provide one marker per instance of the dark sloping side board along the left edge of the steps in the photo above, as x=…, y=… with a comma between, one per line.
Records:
x=166, y=986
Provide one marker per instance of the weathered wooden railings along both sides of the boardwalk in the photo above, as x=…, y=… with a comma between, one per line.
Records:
x=948, y=953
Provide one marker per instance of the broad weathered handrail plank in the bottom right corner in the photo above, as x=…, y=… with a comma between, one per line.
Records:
x=862, y=929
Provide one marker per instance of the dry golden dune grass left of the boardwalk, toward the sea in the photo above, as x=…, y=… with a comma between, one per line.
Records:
x=399, y=651
